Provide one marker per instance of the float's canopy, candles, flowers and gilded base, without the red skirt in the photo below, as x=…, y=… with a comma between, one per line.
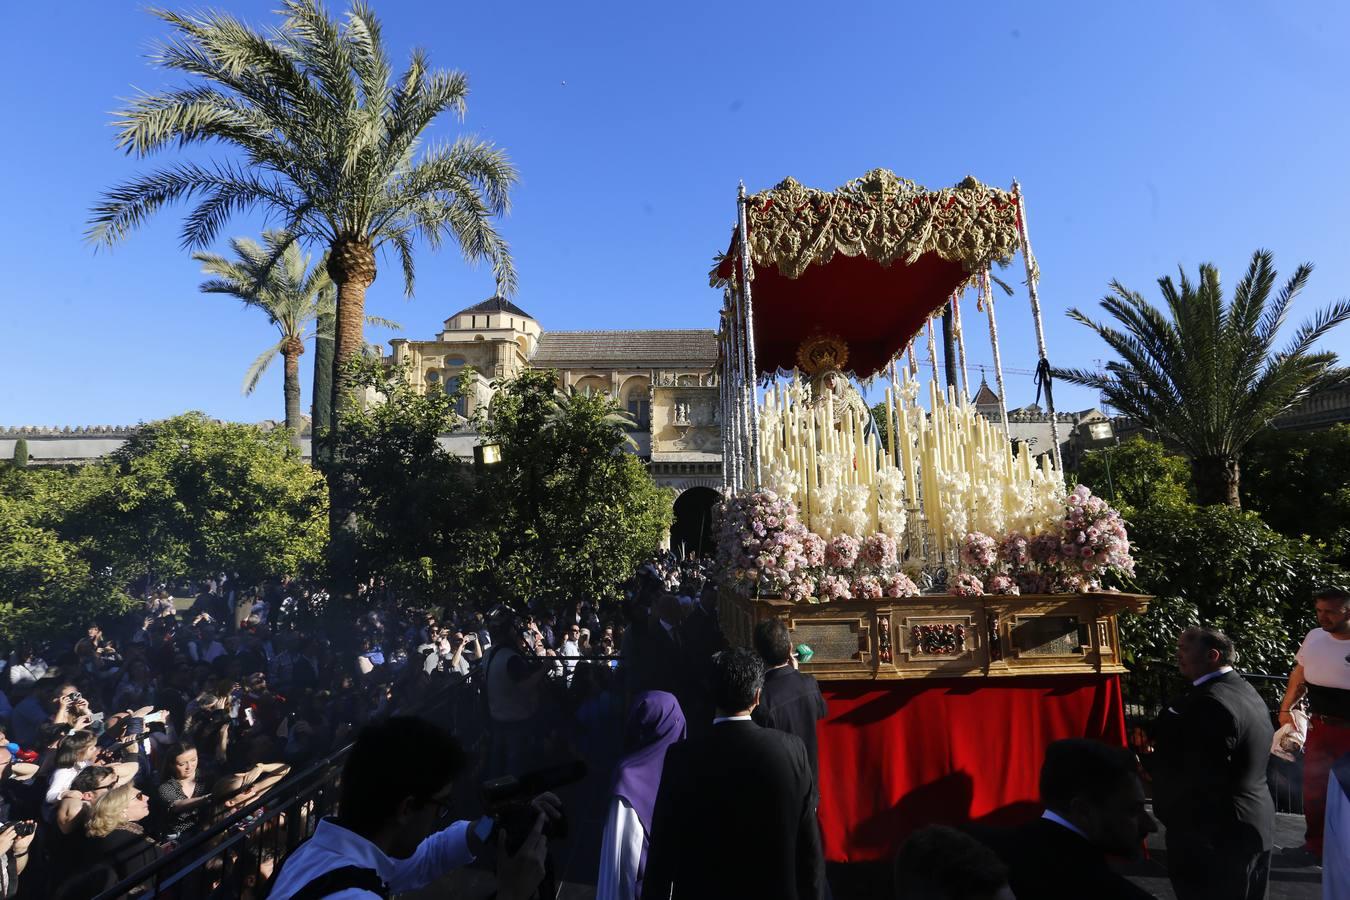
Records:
x=928, y=543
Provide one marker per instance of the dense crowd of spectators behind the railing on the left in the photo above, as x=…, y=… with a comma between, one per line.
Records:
x=125, y=739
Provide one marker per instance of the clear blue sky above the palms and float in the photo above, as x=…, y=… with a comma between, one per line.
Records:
x=1147, y=136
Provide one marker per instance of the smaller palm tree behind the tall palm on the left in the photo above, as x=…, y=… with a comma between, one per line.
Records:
x=291, y=293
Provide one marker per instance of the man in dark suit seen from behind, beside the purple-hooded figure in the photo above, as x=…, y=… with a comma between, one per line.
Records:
x=735, y=816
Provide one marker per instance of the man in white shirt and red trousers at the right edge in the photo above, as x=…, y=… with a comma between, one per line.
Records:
x=1324, y=675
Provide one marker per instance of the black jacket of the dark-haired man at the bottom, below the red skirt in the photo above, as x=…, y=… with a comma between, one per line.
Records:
x=1047, y=862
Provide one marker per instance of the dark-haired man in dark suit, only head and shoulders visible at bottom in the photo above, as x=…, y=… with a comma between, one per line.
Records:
x=1094, y=809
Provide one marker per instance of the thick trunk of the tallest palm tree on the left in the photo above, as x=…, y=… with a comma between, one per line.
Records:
x=352, y=265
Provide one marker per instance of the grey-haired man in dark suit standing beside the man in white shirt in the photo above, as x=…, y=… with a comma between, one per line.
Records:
x=1209, y=772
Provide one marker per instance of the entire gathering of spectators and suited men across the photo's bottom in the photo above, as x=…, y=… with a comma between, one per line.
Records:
x=136, y=736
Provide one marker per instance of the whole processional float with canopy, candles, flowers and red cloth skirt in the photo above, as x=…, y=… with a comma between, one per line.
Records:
x=924, y=559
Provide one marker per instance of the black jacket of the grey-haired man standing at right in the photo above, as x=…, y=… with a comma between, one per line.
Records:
x=1210, y=764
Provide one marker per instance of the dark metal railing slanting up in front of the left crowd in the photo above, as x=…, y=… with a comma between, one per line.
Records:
x=245, y=849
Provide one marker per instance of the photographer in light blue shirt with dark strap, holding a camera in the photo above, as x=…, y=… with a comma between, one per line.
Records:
x=391, y=833
